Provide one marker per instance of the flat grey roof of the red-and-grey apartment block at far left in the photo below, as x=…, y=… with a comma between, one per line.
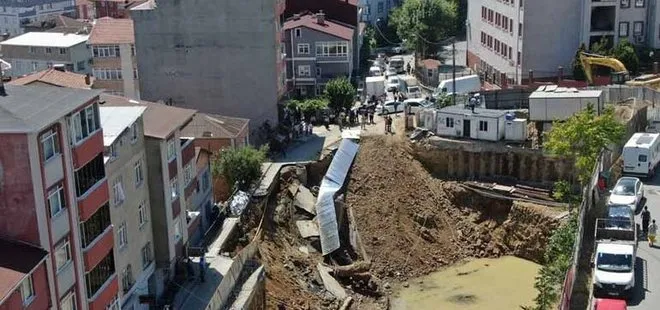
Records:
x=29, y=108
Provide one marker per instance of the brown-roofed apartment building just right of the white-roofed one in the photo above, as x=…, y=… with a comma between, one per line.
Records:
x=170, y=173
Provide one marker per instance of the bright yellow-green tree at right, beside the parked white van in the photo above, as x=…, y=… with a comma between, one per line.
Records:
x=582, y=137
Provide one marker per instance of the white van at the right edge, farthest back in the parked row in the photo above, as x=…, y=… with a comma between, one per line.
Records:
x=641, y=154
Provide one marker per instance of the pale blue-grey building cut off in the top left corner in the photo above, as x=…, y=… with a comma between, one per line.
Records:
x=17, y=14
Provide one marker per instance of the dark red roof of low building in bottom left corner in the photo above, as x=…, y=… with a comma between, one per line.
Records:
x=16, y=262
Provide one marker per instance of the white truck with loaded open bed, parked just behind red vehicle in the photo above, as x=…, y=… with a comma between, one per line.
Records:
x=614, y=258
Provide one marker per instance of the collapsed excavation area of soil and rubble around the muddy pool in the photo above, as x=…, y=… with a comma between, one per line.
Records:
x=395, y=222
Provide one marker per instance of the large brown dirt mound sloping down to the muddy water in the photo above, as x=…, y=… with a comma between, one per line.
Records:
x=412, y=224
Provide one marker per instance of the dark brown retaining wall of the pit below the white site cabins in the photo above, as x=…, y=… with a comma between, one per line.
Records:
x=477, y=160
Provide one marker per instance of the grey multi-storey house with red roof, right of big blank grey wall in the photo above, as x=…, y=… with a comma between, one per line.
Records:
x=317, y=50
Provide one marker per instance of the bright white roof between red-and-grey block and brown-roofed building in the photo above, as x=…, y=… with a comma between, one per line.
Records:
x=114, y=120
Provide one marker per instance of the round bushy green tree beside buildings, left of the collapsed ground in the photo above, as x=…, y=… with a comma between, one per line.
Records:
x=240, y=166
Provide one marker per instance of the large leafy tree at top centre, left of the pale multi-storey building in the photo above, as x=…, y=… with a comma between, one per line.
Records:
x=422, y=24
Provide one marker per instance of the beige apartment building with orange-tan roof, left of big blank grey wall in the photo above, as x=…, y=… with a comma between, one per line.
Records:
x=114, y=64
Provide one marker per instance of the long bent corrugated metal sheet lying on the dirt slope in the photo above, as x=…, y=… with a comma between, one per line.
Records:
x=332, y=182
